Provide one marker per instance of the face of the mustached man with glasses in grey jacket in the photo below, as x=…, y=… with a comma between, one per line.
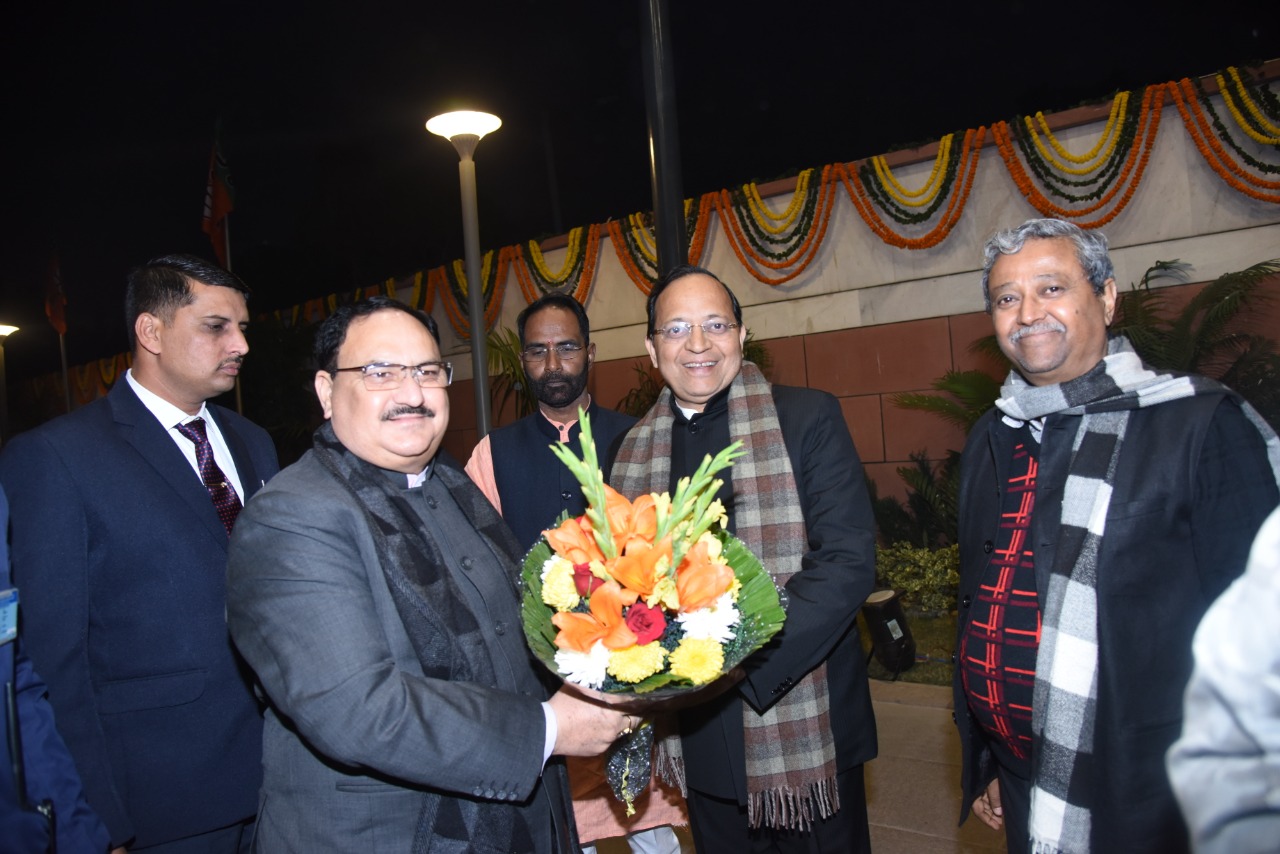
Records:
x=397, y=430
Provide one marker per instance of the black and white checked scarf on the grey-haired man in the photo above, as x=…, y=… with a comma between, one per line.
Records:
x=1064, y=706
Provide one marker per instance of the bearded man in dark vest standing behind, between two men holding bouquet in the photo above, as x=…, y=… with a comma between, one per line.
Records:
x=514, y=465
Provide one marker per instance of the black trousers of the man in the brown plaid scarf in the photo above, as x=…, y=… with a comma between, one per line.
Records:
x=720, y=825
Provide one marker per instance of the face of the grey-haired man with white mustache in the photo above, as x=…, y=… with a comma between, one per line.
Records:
x=1049, y=321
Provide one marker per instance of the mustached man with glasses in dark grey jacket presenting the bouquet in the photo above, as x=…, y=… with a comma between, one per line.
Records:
x=373, y=590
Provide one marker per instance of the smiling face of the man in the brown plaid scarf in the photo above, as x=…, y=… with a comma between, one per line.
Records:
x=698, y=367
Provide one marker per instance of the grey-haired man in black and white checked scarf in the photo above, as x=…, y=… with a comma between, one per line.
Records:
x=1104, y=506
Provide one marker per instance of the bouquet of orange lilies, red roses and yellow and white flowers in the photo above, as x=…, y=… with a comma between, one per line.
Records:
x=647, y=599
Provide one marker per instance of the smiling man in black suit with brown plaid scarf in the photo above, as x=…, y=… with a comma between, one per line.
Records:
x=778, y=764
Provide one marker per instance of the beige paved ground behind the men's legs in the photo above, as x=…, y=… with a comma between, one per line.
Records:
x=913, y=788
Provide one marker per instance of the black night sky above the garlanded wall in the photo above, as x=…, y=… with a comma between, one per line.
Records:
x=111, y=111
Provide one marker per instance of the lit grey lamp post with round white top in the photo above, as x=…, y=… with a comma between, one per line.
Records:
x=464, y=129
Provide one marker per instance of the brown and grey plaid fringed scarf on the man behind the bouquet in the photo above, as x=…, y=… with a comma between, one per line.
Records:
x=790, y=750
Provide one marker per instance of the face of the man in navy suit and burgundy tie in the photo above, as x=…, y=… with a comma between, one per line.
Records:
x=196, y=354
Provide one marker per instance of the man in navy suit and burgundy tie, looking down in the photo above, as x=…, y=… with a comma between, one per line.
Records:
x=121, y=519
